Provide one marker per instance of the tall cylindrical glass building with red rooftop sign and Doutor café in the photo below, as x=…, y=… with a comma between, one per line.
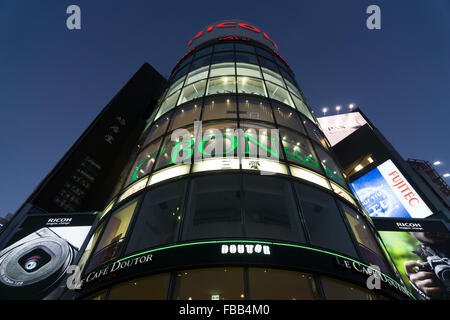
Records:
x=233, y=192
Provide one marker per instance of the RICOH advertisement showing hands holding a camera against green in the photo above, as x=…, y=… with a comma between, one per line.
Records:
x=420, y=250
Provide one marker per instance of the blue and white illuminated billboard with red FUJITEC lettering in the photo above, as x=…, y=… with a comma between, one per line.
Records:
x=384, y=192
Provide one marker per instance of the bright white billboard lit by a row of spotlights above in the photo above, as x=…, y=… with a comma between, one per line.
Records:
x=339, y=126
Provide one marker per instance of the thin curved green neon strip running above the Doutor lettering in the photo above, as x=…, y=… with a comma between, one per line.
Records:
x=297, y=246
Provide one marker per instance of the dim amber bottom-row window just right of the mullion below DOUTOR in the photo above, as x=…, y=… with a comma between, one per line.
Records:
x=281, y=285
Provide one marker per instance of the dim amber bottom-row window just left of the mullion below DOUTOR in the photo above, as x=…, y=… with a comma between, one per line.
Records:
x=208, y=284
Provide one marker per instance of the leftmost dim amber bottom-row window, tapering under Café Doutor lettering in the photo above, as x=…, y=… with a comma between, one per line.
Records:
x=149, y=288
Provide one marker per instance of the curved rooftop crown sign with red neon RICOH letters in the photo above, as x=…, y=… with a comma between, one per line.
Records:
x=232, y=30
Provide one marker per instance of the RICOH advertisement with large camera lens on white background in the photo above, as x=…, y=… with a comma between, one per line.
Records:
x=40, y=253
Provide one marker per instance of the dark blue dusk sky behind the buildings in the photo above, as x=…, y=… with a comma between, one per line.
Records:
x=53, y=82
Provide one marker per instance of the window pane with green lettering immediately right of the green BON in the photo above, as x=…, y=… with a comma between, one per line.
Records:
x=299, y=150
